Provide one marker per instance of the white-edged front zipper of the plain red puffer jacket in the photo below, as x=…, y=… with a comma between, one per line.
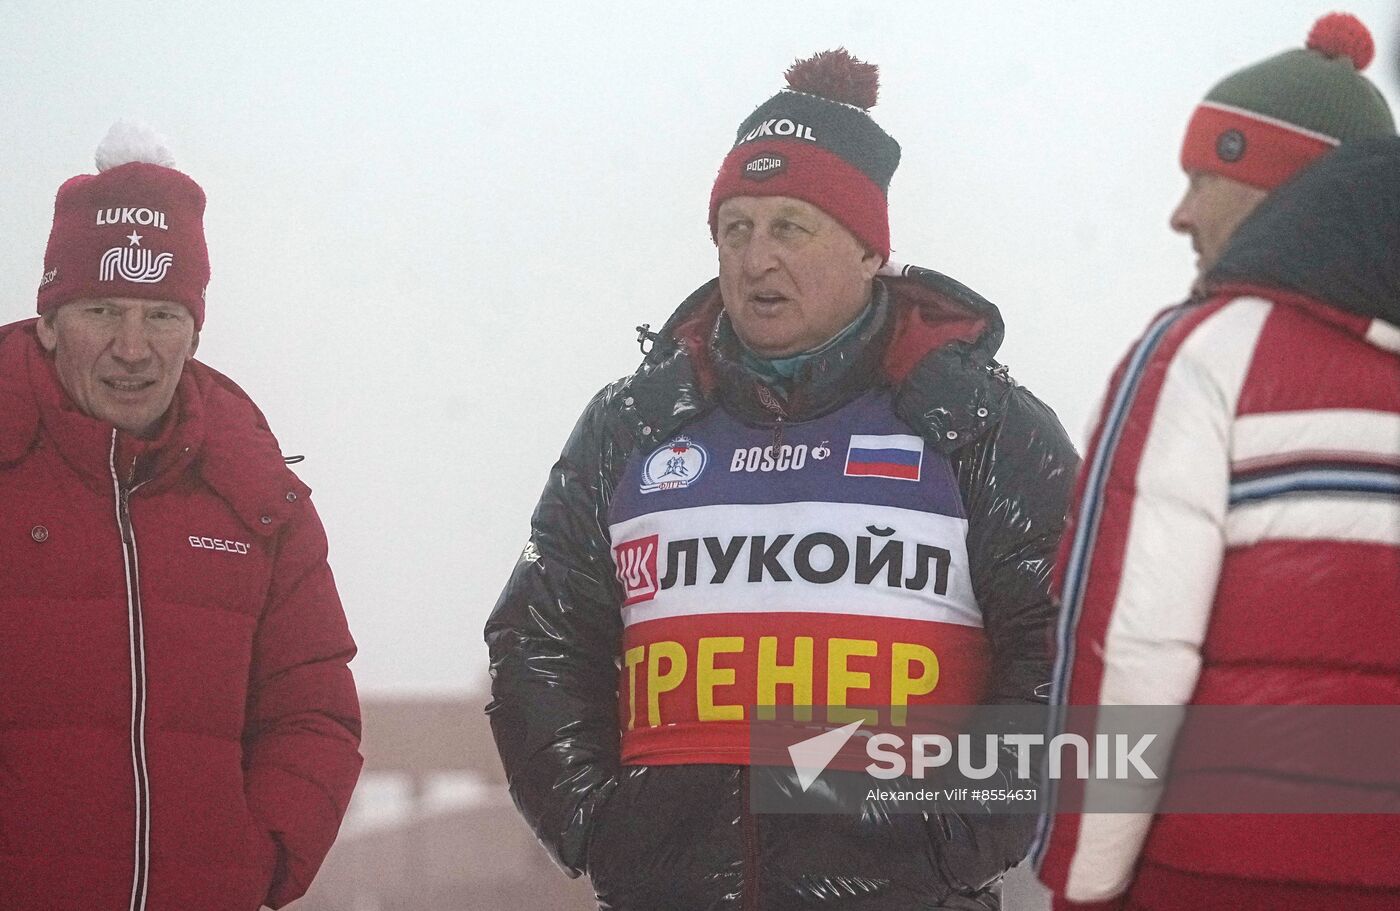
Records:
x=122, y=495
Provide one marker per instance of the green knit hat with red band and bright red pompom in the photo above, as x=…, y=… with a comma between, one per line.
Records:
x=1269, y=121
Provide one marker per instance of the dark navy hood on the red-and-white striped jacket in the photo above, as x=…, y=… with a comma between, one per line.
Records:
x=1331, y=234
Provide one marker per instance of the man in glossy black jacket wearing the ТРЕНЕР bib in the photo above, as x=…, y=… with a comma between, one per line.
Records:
x=818, y=489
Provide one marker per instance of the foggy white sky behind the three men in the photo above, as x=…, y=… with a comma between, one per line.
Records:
x=433, y=226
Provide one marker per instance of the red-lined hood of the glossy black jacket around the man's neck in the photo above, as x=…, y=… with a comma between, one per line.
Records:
x=936, y=345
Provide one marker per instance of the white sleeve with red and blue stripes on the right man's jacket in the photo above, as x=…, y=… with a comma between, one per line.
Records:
x=1140, y=562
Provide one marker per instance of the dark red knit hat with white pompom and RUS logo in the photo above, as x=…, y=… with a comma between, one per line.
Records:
x=135, y=229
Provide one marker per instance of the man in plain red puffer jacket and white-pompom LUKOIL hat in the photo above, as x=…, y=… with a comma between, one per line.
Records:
x=178, y=723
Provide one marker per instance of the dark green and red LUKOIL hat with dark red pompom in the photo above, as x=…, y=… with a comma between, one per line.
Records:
x=817, y=142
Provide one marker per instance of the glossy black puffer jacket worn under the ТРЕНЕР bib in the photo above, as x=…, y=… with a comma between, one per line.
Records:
x=680, y=838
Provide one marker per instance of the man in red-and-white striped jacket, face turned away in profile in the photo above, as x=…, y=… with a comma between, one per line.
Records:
x=1235, y=537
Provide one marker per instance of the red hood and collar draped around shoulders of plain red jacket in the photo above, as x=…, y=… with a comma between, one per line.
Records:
x=219, y=435
